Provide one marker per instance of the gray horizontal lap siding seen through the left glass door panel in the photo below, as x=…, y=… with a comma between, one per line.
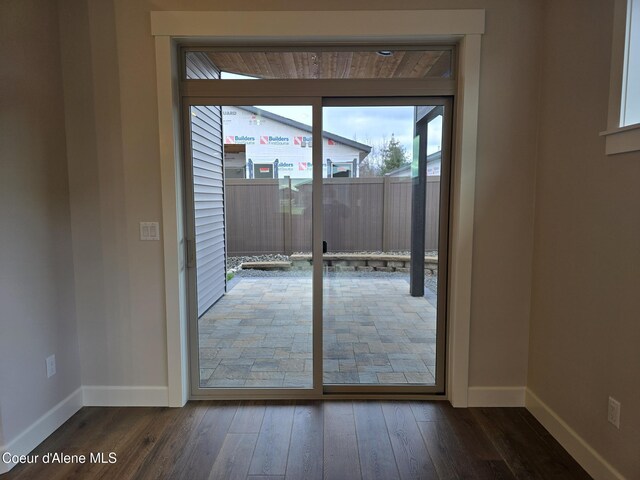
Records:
x=208, y=198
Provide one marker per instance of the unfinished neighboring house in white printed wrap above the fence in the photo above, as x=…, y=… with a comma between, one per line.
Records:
x=268, y=145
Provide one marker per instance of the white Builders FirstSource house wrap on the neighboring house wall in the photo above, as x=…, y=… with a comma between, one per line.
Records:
x=276, y=144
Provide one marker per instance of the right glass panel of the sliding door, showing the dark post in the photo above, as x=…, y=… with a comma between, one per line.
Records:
x=382, y=226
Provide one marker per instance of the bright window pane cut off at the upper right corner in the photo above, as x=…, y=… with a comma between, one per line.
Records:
x=630, y=108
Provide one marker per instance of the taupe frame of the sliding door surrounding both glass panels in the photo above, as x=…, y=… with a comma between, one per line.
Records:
x=317, y=103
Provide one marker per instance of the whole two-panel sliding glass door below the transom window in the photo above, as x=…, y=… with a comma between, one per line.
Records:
x=316, y=235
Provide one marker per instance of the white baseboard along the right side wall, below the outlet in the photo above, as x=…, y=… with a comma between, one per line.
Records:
x=578, y=448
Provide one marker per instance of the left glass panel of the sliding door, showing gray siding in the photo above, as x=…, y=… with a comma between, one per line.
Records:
x=249, y=182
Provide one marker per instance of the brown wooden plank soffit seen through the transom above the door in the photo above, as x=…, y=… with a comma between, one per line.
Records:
x=336, y=64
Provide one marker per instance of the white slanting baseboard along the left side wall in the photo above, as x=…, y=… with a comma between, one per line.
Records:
x=39, y=430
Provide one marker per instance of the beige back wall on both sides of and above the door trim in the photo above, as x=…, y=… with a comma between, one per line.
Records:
x=115, y=184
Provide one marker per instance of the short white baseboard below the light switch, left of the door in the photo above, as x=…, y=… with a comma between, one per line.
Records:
x=110, y=396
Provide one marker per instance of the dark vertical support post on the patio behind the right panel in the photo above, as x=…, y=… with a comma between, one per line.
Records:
x=418, y=205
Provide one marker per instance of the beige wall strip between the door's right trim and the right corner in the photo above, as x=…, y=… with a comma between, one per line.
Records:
x=504, y=203
